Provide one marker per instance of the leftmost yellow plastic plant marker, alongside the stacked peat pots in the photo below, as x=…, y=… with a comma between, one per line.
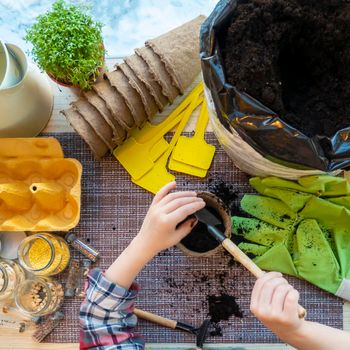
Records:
x=138, y=158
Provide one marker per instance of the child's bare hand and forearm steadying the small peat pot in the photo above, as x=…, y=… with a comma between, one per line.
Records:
x=159, y=231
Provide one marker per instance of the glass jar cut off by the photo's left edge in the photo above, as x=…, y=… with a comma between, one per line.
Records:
x=11, y=274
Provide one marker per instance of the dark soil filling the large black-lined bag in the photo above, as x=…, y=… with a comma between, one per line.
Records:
x=294, y=57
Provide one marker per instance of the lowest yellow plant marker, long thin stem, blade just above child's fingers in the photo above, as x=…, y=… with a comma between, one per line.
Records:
x=159, y=176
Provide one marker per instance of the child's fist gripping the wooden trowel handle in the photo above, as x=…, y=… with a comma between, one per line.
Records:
x=275, y=303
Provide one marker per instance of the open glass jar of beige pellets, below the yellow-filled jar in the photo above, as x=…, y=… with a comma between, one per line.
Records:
x=39, y=296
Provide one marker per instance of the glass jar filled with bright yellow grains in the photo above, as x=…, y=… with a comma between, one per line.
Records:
x=44, y=254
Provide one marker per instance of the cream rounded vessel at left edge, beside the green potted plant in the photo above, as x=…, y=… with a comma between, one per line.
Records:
x=26, y=98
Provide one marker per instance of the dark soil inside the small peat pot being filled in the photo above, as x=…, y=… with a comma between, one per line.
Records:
x=199, y=239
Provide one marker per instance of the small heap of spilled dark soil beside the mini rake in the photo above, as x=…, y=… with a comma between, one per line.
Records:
x=222, y=307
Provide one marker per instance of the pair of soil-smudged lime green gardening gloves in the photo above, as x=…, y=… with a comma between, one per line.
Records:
x=300, y=228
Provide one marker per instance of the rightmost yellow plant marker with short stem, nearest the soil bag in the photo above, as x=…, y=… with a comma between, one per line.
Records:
x=193, y=155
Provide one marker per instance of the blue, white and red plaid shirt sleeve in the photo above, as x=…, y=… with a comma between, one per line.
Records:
x=106, y=316
